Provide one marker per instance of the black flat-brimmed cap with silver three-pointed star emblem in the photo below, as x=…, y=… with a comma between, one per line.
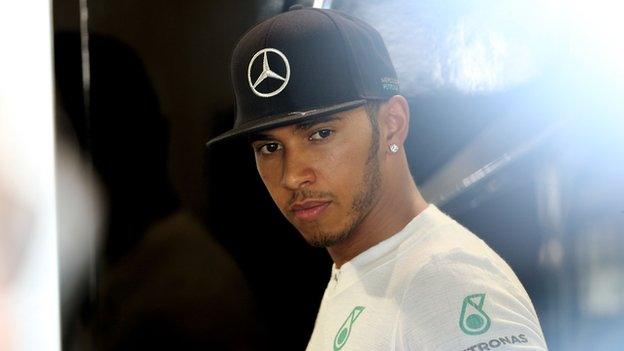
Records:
x=303, y=64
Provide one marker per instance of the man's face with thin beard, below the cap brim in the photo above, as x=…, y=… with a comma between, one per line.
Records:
x=323, y=176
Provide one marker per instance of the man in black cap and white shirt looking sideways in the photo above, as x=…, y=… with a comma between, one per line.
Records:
x=317, y=98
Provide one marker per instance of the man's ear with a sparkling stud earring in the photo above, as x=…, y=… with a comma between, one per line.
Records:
x=396, y=120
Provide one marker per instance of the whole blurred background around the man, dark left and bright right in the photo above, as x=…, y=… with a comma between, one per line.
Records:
x=516, y=131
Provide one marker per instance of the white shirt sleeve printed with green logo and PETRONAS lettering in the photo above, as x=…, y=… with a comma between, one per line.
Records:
x=462, y=302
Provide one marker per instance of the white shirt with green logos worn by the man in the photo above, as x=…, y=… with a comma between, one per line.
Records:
x=432, y=286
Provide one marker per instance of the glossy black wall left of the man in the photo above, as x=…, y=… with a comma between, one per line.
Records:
x=183, y=261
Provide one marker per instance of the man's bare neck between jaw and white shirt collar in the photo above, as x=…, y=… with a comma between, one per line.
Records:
x=387, y=217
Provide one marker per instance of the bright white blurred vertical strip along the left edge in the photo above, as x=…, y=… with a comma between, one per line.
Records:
x=27, y=170
